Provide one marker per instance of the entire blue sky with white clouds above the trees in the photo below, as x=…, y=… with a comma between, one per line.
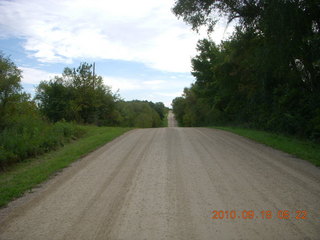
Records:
x=140, y=48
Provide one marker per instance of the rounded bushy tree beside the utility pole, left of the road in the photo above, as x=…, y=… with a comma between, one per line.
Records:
x=77, y=96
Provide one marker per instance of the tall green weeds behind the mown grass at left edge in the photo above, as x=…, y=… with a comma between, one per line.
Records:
x=29, y=135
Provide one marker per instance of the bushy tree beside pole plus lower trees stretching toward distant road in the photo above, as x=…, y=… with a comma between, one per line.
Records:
x=79, y=96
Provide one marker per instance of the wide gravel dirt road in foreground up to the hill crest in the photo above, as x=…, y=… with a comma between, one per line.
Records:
x=165, y=184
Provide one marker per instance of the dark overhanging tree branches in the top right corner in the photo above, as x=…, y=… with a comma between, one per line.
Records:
x=290, y=28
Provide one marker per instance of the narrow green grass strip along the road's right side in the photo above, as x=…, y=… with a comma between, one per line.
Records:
x=303, y=149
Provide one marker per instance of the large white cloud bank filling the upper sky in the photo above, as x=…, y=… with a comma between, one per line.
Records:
x=142, y=30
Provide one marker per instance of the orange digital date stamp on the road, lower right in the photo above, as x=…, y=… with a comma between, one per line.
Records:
x=265, y=214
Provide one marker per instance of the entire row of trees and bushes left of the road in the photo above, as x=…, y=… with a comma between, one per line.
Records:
x=31, y=126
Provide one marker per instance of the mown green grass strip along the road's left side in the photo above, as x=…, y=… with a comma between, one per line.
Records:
x=25, y=175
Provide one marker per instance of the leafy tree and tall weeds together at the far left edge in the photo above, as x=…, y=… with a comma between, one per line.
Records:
x=23, y=131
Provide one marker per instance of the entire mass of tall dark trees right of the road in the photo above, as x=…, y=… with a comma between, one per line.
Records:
x=265, y=76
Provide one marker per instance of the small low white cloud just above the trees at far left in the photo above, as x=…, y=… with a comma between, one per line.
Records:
x=34, y=76
